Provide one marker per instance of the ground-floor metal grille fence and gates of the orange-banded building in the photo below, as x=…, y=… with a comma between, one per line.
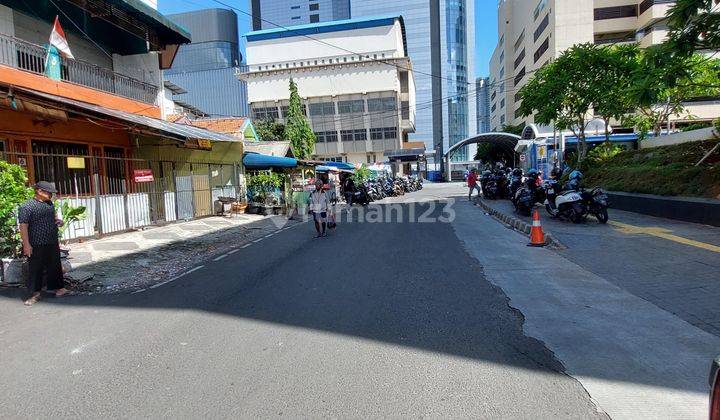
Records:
x=111, y=187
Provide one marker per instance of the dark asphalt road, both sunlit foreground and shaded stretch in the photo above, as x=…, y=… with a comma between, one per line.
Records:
x=378, y=320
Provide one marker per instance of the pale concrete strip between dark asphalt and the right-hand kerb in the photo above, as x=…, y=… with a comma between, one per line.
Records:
x=635, y=359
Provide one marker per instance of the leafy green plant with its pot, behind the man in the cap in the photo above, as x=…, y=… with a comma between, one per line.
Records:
x=13, y=192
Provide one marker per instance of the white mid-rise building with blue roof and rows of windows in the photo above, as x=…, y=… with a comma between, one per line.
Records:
x=355, y=79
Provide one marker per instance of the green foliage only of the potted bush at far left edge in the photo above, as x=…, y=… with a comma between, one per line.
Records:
x=13, y=192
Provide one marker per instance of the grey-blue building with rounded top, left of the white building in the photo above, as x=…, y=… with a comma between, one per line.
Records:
x=205, y=69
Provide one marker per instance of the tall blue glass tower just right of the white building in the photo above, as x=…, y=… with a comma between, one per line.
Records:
x=441, y=45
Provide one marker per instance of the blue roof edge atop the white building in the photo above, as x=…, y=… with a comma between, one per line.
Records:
x=325, y=27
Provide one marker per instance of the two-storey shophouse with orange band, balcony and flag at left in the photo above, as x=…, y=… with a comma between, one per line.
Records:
x=92, y=124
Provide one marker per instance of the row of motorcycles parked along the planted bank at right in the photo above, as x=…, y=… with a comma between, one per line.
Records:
x=571, y=201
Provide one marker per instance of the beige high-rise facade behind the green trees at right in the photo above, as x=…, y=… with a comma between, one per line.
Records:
x=532, y=33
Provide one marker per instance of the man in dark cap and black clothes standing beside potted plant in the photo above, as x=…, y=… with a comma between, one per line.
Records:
x=39, y=233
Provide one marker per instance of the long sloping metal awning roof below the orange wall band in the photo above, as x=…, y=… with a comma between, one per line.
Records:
x=169, y=129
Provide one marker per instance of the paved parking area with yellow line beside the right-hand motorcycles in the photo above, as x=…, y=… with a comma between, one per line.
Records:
x=669, y=263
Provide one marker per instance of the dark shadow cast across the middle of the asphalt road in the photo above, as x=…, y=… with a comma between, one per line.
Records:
x=408, y=283
